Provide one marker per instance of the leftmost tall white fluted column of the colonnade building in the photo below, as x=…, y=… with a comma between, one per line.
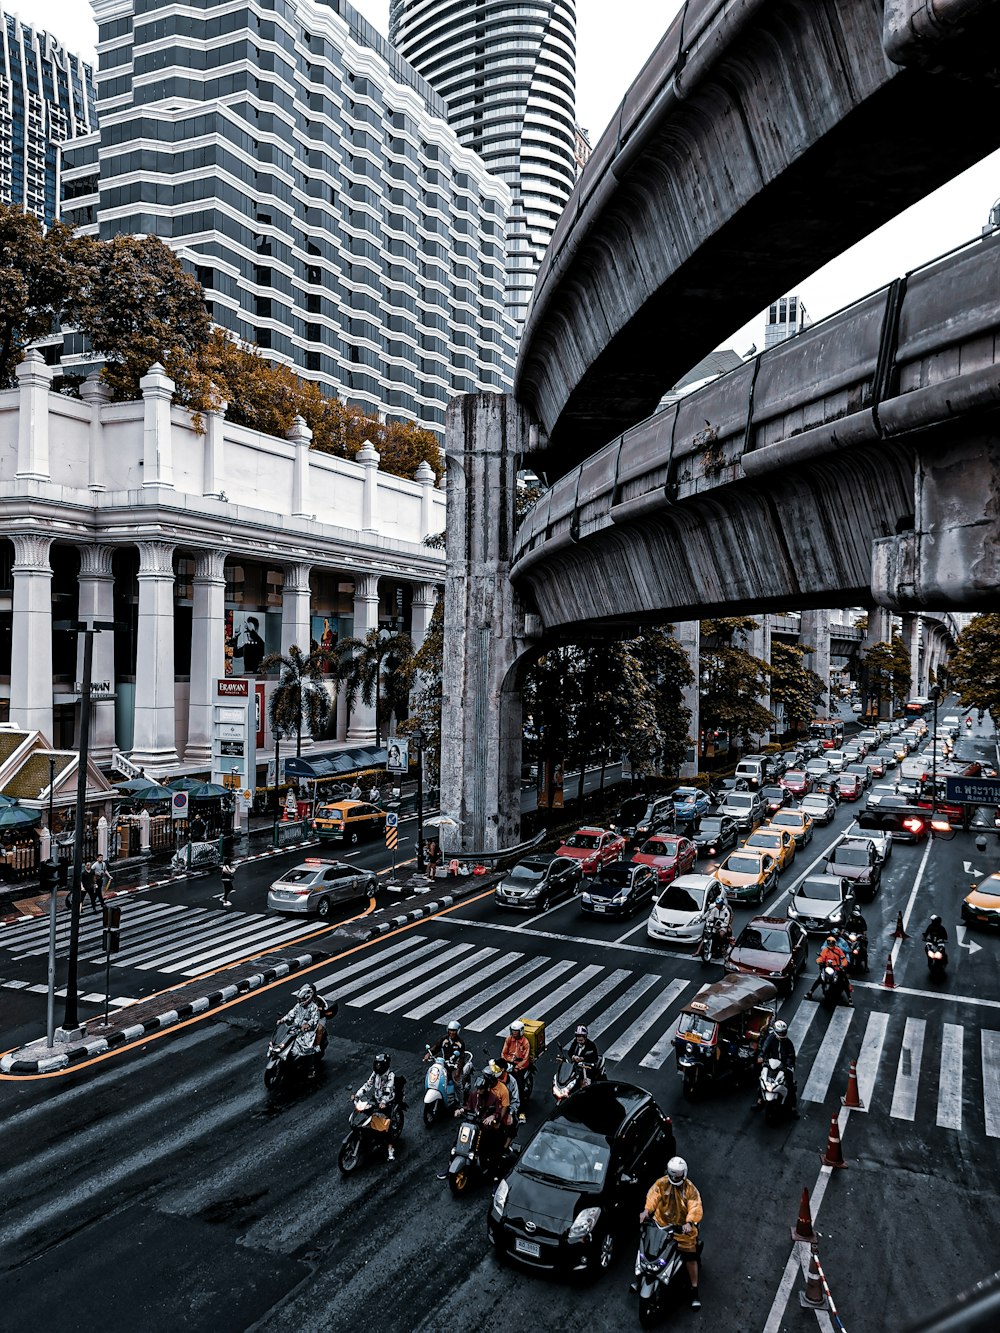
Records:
x=31, y=634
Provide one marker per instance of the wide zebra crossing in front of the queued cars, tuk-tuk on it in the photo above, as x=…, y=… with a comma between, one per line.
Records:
x=909, y=1068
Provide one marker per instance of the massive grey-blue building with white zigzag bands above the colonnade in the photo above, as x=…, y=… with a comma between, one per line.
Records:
x=309, y=178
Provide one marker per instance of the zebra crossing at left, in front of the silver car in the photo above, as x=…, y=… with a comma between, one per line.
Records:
x=166, y=938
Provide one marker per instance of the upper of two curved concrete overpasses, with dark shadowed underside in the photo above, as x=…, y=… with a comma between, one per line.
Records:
x=762, y=139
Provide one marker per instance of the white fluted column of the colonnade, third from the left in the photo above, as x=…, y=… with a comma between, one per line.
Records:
x=154, y=735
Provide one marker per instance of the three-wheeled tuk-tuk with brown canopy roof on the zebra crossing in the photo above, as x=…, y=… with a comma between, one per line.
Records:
x=722, y=1028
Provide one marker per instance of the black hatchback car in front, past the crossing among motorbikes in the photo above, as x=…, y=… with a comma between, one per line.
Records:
x=582, y=1180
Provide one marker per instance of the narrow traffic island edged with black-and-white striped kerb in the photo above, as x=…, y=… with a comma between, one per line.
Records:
x=135, y=1023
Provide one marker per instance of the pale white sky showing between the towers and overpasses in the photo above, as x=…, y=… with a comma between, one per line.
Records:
x=614, y=42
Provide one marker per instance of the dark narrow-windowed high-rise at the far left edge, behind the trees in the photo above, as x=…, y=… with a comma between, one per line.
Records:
x=46, y=98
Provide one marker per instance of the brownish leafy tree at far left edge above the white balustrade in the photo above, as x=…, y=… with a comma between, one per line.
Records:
x=38, y=271
